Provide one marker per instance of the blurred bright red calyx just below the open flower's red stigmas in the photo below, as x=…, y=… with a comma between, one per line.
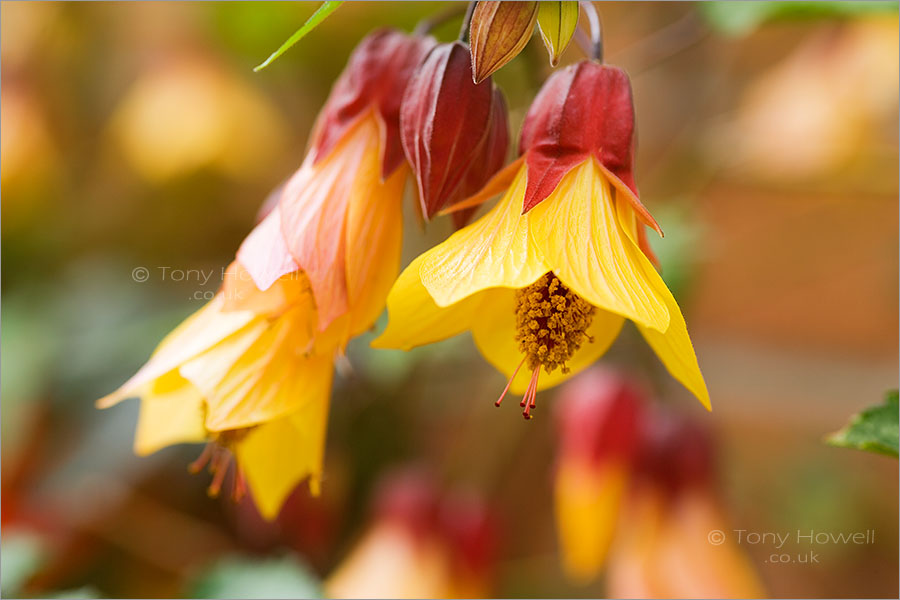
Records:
x=599, y=416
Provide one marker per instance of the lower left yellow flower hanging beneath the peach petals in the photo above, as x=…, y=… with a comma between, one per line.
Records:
x=246, y=374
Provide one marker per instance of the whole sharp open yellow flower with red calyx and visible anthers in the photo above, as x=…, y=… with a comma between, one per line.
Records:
x=547, y=277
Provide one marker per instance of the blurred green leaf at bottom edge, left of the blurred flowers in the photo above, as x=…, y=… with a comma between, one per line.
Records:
x=244, y=577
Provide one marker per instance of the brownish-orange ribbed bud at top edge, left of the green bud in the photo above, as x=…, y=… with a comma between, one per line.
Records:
x=498, y=32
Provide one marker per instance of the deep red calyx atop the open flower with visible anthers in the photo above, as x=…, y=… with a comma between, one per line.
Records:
x=583, y=110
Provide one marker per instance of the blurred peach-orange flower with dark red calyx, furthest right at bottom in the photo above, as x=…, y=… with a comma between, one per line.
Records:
x=668, y=545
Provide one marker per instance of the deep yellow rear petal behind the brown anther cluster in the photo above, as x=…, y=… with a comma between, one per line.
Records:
x=495, y=328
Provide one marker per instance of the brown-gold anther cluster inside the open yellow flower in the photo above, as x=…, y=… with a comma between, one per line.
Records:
x=551, y=321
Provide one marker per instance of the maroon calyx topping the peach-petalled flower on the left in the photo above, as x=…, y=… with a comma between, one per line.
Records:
x=375, y=77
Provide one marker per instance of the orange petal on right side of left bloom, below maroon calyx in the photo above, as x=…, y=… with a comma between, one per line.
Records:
x=374, y=237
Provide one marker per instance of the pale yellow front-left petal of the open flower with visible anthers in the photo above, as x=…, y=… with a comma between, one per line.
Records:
x=494, y=251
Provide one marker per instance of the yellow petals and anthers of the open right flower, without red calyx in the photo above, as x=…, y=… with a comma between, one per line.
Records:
x=548, y=288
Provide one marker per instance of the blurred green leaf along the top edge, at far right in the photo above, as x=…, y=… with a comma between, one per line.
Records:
x=740, y=18
